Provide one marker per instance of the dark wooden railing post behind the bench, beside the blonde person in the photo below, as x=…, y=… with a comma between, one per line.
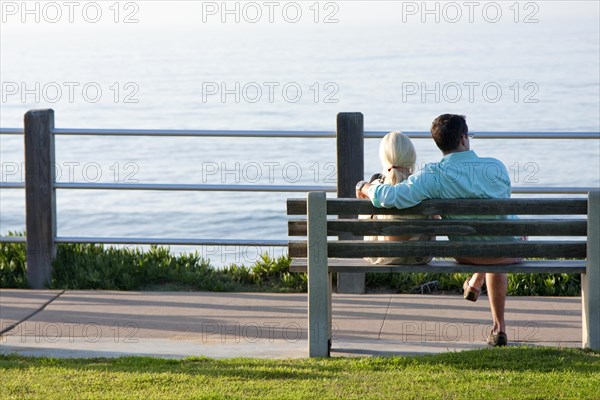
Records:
x=350, y=170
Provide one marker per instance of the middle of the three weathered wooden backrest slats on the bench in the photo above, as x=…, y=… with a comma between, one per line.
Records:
x=521, y=227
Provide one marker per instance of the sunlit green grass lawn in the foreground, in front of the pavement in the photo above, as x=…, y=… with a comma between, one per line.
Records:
x=507, y=373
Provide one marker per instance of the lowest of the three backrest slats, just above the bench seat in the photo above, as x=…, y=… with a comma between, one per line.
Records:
x=525, y=249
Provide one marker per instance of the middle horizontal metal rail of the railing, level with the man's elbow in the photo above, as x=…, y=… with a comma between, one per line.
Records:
x=262, y=188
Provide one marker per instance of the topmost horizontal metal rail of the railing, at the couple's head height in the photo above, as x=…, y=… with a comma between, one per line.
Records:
x=295, y=134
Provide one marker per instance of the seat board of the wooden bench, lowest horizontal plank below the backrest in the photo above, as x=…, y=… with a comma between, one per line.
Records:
x=360, y=265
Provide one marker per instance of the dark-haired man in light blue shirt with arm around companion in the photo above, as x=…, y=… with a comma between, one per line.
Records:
x=460, y=174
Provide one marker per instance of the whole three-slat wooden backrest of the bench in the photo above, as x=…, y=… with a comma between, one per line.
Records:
x=533, y=221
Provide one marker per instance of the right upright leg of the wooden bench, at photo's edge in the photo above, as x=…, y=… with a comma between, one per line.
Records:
x=590, y=281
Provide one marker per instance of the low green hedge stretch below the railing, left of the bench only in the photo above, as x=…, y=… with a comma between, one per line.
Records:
x=92, y=266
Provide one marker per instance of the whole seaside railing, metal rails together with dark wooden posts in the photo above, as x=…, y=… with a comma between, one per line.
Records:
x=350, y=134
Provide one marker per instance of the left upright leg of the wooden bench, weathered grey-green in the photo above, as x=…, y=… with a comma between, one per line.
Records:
x=319, y=278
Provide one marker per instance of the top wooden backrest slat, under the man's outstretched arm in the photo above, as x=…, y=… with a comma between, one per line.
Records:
x=452, y=207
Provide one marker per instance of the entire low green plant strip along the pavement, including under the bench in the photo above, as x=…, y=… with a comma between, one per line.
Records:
x=90, y=266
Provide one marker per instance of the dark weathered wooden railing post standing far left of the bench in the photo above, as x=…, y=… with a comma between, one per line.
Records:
x=40, y=199
